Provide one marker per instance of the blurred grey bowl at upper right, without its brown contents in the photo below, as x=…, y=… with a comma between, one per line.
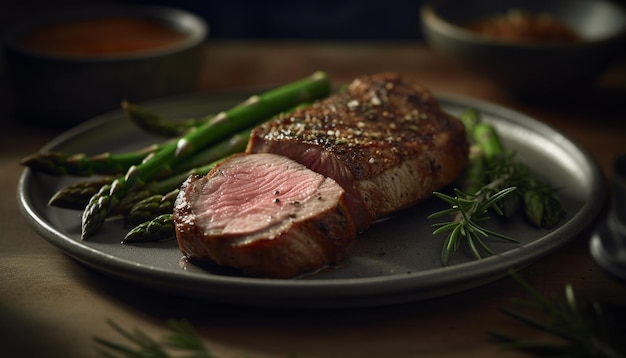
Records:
x=538, y=69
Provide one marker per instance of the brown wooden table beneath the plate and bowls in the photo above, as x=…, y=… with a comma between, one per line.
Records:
x=52, y=306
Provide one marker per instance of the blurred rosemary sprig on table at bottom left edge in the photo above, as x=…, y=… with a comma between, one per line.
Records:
x=183, y=339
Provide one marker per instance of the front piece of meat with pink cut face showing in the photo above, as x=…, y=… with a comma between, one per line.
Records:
x=264, y=214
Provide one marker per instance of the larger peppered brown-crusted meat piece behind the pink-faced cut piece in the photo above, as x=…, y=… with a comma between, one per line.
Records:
x=387, y=142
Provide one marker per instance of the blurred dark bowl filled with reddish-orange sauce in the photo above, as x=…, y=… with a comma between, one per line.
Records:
x=132, y=53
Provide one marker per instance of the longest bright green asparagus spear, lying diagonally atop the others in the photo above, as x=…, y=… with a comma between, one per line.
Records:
x=254, y=110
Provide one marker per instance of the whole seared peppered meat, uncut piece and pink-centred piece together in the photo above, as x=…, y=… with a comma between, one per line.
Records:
x=314, y=178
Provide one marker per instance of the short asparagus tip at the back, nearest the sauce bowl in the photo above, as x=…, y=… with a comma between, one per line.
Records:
x=154, y=123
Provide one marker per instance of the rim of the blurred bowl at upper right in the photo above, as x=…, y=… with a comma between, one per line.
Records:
x=433, y=20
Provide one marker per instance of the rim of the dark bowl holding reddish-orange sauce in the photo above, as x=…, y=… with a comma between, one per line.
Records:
x=192, y=25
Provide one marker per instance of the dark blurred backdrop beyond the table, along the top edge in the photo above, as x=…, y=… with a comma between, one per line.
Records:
x=281, y=19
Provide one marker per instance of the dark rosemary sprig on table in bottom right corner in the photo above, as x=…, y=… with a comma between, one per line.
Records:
x=575, y=330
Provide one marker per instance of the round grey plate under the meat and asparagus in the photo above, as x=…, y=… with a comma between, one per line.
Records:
x=396, y=261
